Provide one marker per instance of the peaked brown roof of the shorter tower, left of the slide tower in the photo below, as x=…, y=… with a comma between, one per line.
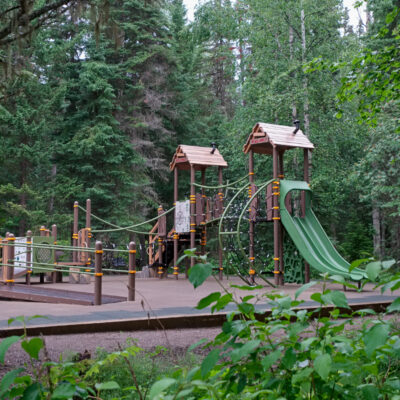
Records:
x=200, y=157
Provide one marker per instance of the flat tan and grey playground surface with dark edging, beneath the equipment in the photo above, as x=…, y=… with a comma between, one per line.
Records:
x=160, y=304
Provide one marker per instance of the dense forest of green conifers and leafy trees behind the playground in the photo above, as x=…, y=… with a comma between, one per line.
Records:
x=96, y=95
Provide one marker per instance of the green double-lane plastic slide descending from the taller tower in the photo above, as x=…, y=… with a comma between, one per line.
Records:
x=310, y=238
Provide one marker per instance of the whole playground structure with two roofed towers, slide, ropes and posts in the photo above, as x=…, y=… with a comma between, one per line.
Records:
x=241, y=212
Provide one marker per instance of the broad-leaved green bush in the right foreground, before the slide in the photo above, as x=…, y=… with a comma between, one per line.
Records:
x=294, y=354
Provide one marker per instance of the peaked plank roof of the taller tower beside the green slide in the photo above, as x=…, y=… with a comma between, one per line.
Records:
x=264, y=137
